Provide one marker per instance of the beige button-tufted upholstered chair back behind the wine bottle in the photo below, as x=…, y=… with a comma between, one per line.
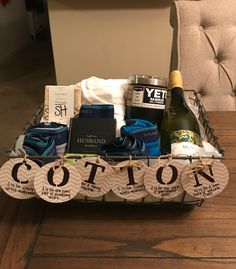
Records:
x=204, y=49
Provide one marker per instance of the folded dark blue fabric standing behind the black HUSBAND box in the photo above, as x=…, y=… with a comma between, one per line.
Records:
x=101, y=111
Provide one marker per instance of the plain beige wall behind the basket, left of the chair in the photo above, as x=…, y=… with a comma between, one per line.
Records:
x=109, y=38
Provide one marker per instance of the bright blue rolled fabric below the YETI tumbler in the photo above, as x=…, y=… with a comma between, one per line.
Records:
x=145, y=131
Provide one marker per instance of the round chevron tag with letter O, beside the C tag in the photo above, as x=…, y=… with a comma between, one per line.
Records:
x=57, y=183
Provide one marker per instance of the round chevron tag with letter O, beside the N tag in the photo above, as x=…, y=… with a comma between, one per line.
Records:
x=162, y=179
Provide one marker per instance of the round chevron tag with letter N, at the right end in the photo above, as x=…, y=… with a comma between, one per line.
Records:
x=205, y=181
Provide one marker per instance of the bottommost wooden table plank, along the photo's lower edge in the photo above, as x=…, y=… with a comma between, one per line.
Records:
x=129, y=263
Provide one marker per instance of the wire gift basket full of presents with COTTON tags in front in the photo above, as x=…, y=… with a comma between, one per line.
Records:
x=101, y=158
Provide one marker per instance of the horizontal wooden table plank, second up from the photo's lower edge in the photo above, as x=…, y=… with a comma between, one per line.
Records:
x=91, y=246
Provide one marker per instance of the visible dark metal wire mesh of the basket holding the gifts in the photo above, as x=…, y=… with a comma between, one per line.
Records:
x=110, y=197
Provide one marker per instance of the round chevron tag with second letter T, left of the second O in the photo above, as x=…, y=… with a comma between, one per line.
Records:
x=128, y=181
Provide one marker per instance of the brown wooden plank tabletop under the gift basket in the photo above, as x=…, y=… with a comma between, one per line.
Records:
x=36, y=235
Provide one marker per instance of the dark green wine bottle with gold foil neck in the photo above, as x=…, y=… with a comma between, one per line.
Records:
x=180, y=132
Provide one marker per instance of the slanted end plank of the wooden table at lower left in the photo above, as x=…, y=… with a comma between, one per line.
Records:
x=21, y=239
